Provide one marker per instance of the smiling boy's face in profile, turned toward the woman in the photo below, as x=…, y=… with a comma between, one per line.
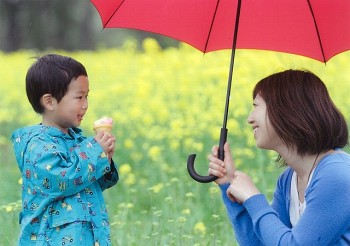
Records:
x=69, y=112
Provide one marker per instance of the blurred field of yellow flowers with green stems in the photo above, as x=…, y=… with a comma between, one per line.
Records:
x=166, y=104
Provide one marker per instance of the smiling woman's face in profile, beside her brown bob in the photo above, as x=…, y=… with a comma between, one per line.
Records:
x=264, y=133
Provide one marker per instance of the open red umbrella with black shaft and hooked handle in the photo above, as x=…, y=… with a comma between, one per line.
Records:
x=319, y=29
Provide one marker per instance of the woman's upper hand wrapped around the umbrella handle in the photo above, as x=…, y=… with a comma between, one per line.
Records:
x=224, y=170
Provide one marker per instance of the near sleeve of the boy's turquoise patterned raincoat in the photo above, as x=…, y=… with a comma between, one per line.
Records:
x=56, y=171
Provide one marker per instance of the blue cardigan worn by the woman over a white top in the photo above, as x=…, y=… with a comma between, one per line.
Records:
x=325, y=221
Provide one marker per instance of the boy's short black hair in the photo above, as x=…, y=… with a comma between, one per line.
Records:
x=51, y=74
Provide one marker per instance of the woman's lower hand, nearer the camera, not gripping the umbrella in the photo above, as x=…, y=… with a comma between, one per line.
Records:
x=241, y=188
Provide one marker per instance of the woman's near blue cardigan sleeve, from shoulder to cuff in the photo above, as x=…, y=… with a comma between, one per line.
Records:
x=326, y=217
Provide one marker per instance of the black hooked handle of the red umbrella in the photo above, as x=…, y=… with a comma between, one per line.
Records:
x=192, y=157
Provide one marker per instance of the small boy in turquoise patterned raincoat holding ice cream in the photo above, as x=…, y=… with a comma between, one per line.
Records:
x=63, y=172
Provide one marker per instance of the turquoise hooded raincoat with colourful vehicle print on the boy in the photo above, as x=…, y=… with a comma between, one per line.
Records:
x=63, y=179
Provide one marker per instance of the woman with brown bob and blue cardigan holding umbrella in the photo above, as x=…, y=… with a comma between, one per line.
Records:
x=294, y=116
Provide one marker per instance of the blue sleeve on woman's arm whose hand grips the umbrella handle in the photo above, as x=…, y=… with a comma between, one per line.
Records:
x=240, y=220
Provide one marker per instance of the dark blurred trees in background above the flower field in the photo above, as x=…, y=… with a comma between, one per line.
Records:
x=60, y=24
